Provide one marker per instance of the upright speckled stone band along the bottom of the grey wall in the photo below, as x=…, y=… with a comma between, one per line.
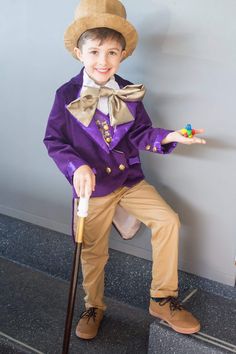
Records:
x=52, y=252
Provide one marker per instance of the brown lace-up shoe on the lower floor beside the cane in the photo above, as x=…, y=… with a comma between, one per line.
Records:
x=89, y=323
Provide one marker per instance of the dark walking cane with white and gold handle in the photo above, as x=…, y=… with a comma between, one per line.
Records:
x=82, y=213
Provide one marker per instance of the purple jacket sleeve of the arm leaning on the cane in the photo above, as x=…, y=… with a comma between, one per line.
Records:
x=57, y=140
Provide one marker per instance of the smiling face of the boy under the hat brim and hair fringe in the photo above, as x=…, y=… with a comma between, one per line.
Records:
x=101, y=61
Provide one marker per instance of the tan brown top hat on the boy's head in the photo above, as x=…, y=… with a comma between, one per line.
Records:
x=100, y=13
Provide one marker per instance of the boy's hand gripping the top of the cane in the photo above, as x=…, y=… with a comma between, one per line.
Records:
x=84, y=181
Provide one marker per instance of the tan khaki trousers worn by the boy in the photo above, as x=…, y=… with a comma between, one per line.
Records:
x=143, y=201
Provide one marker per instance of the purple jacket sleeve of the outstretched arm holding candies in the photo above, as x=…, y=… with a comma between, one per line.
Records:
x=146, y=137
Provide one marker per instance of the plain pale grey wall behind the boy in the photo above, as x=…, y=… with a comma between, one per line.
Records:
x=186, y=57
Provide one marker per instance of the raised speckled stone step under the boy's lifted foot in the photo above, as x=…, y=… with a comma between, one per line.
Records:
x=218, y=328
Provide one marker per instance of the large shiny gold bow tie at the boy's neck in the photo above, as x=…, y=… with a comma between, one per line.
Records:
x=84, y=107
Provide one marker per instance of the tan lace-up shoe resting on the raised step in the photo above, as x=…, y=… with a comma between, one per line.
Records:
x=170, y=310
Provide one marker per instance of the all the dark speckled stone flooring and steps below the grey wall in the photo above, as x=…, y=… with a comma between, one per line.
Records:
x=41, y=260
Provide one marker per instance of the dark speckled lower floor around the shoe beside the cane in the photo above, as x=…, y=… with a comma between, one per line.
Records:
x=33, y=310
